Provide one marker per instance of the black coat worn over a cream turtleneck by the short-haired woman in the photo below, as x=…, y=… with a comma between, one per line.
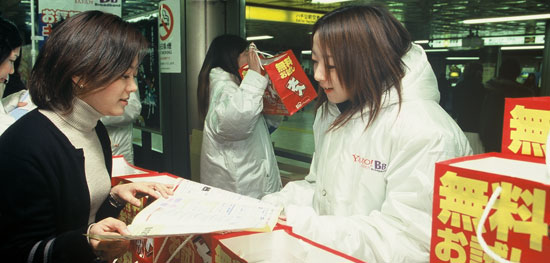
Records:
x=44, y=198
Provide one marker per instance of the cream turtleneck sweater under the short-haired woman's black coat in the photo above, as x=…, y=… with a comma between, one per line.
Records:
x=79, y=127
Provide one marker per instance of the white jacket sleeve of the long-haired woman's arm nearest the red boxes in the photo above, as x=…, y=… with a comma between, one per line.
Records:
x=401, y=230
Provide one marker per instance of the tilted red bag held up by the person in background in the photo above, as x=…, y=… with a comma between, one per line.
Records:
x=289, y=89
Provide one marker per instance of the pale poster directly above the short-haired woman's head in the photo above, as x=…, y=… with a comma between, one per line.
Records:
x=53, y=11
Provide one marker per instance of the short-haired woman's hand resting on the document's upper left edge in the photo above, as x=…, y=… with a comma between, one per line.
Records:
x=131, y=192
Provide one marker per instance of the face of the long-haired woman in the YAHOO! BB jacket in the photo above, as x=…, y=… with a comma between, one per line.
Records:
x=327, y=76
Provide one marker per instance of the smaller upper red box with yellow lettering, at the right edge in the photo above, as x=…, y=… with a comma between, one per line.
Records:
x=526, y=125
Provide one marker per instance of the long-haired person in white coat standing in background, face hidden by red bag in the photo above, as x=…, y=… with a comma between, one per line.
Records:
x=237, y=153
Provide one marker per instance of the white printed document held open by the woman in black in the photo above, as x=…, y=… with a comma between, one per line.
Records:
x=197, y=208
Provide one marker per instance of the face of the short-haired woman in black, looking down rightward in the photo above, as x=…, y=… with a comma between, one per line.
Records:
x=112, y=99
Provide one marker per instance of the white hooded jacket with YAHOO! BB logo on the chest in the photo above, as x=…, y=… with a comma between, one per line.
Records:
x=369, y=192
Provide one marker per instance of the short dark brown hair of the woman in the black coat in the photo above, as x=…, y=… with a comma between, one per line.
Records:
x=94, y=46
